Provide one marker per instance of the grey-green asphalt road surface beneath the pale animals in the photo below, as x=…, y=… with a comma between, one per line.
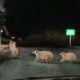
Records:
x=25, y=66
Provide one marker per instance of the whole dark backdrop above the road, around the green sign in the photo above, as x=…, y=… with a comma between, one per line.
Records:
x=42, y=21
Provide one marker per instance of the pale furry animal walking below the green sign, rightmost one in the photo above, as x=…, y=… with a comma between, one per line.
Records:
x=69, y=56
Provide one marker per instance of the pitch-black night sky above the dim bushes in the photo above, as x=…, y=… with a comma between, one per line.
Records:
x=25, y=16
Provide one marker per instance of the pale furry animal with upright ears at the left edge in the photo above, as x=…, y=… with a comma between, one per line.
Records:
x=11, y=51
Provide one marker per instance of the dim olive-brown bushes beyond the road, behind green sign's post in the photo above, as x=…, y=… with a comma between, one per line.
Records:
x=48, y=38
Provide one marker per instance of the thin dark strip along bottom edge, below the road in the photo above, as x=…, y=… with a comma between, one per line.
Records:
x=53, y=78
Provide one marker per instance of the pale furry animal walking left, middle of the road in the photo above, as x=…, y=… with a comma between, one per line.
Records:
x=43, y=55
